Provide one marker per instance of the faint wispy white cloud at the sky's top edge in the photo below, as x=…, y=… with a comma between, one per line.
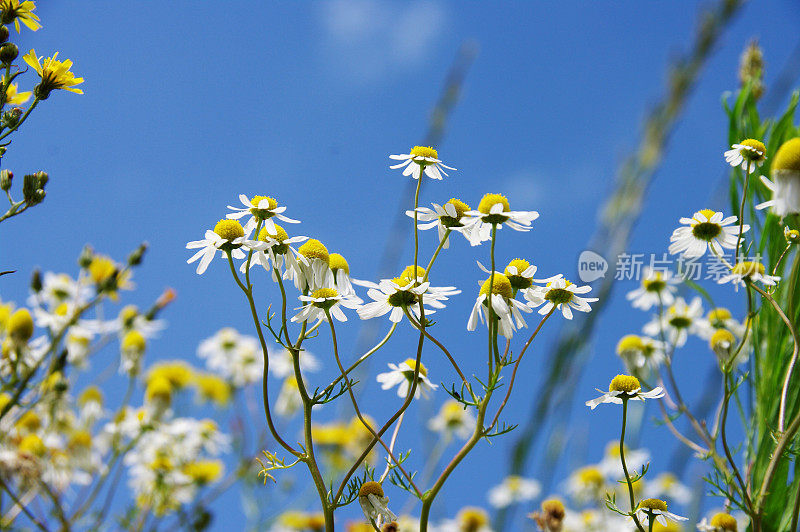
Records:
x=366, y=40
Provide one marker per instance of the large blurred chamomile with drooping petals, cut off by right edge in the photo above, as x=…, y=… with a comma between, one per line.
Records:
x=785, y=183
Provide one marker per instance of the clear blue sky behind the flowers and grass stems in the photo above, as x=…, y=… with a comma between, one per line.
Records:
x=188, y=104
